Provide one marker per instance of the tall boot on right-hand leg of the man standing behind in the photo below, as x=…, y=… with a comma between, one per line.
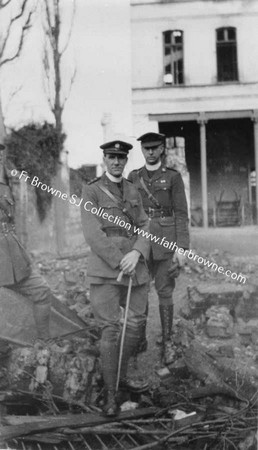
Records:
x=166, y=318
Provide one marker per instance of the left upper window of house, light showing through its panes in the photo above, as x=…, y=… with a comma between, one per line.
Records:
x=173, y=57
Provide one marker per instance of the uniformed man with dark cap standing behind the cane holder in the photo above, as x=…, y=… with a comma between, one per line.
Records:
x=163, y=196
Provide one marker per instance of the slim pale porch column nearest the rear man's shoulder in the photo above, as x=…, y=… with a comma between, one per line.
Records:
x=202, y=123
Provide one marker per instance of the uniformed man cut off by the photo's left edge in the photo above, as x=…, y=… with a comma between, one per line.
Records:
x=16, y=272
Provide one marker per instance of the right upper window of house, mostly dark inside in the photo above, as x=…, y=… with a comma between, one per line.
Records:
x=227, y=54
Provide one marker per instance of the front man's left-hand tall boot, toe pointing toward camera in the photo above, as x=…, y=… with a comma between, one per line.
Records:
x=109, y=362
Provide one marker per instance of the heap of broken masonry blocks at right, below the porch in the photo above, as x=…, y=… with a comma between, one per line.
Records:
x=225, y=314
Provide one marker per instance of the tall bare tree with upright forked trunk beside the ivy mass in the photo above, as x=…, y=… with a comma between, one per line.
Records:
x=57, y=37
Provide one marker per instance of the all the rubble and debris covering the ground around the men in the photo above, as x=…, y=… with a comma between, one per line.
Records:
x=207, y=399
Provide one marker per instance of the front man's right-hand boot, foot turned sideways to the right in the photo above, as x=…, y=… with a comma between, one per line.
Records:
x=132, y=336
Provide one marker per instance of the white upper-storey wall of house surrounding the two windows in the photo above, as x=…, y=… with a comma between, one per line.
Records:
x=198, y=20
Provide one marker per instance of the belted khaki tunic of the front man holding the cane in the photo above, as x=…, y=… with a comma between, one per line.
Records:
x=107, y=248
